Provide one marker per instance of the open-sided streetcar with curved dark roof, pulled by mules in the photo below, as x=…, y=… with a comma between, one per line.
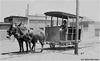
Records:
x=63, y=33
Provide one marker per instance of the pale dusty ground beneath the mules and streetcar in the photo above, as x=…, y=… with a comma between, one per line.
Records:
x=88, y=51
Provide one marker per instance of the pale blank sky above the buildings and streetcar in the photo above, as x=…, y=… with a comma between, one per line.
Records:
x=88, y=8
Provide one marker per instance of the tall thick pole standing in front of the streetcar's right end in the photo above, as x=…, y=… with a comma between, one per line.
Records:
x=77, y=19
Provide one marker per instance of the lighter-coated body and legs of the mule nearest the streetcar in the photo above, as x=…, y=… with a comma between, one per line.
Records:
x=37, y=36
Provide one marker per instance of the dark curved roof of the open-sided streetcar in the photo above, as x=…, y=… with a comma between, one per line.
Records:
x=61, y=14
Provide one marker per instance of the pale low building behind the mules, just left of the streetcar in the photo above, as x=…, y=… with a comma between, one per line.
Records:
x=38, y=21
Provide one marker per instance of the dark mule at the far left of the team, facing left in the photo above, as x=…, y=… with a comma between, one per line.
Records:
x=16, y=32
